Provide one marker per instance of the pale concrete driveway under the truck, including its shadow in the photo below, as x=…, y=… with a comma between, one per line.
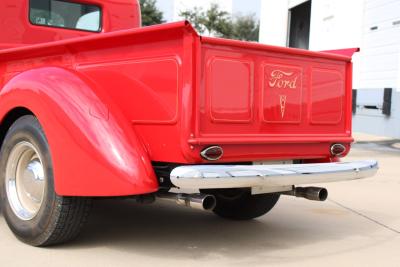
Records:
x=358, y=226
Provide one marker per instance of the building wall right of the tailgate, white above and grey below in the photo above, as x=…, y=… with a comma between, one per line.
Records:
x=378, y=67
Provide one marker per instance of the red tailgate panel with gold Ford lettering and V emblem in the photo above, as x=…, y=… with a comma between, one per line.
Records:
x=255, y=94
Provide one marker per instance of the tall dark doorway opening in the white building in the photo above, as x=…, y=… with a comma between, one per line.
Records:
x=299, y=31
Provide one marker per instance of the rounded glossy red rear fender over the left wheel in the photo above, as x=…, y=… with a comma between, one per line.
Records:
x=94, y=148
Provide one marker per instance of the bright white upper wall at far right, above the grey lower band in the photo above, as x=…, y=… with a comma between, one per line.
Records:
x=380, y=49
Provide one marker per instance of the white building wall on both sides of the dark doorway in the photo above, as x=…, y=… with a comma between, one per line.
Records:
x=334, y=23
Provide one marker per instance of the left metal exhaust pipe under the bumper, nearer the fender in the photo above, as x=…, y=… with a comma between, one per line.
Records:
x=195, y=201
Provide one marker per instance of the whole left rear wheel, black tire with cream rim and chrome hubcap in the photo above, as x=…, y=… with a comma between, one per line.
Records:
x=32, y=209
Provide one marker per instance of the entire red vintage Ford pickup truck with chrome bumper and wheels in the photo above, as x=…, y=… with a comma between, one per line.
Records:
x=93, y=105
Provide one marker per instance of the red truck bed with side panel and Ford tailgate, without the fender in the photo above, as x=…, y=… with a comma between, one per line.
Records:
x=183, y=92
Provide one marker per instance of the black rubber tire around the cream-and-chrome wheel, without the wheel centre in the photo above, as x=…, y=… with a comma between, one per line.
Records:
x=57, y=219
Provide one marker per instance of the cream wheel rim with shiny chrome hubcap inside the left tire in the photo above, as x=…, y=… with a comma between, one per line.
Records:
x=25, y=180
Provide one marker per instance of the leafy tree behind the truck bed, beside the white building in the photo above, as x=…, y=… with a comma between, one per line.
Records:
x=216, y=22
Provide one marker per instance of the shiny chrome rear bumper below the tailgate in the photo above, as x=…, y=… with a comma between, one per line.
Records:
x=275, y=177
